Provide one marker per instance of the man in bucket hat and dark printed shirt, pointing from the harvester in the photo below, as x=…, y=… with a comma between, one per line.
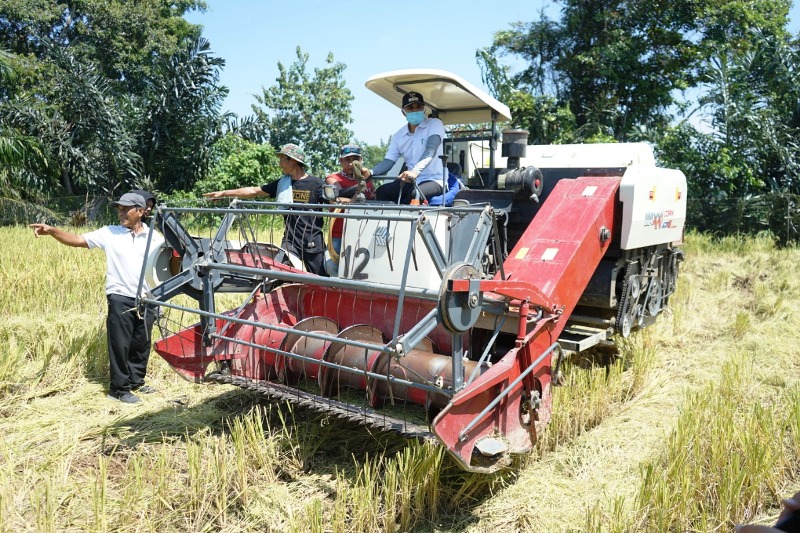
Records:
x=303, y=233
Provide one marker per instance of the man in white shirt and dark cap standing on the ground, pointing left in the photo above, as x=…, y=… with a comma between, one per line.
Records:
x=128, y=330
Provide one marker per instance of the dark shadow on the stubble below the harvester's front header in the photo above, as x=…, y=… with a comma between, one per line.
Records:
x=328, y=445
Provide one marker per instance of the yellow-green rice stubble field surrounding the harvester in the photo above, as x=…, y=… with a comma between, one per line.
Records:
x=693, y=426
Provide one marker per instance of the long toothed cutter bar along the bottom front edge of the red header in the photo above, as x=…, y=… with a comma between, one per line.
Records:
x=360, y=415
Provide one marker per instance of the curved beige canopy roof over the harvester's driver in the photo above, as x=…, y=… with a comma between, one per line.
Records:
x=455, y=100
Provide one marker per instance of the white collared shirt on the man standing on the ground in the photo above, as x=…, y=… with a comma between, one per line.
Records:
x=124, y=251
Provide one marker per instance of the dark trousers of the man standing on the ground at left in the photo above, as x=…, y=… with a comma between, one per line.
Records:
x=128, y=343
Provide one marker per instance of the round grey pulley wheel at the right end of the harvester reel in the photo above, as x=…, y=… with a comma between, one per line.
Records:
x=459, y=310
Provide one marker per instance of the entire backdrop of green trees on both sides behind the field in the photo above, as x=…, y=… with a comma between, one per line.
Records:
x=97, y=96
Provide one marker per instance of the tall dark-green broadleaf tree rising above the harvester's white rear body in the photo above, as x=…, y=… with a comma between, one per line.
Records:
x=618, y=65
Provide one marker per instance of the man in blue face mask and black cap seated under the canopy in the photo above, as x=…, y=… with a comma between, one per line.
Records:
x=419, y=143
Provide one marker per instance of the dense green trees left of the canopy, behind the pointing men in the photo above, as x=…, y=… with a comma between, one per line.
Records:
x=98, y=96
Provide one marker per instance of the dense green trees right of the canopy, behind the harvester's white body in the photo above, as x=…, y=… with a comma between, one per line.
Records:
x=712, y=84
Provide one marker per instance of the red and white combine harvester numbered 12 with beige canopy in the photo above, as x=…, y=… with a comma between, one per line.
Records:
x=446, y=321
